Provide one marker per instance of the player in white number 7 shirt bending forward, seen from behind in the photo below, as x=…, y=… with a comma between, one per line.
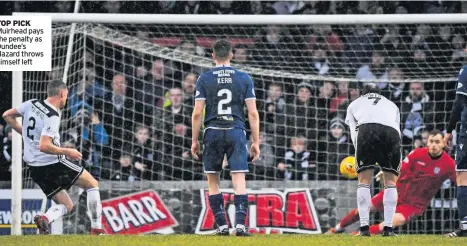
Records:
x=374, y=127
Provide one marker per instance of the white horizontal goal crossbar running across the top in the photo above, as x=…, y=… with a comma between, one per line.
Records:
x=253, y=19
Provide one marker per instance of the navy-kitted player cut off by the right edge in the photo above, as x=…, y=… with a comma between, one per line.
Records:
x=459, y=112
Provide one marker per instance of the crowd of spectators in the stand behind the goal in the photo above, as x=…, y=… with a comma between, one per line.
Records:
x=130, y=113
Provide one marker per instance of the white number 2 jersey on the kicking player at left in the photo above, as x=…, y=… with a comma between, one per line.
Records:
x=40, y=118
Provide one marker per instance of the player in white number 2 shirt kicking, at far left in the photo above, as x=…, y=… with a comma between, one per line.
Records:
x=50, y=168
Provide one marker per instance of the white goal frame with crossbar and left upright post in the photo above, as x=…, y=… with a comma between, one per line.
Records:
x=193, y=19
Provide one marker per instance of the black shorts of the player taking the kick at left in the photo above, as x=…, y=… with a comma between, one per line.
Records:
x=56, y=177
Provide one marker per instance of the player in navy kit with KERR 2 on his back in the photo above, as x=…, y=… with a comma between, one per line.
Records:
x=224, y=91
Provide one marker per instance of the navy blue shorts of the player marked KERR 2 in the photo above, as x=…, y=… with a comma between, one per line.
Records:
x=229, y=142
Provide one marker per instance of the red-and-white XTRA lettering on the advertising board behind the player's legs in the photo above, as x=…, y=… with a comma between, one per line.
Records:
x=270, y=212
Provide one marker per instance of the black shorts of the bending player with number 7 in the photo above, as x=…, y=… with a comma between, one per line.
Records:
x=380, y=144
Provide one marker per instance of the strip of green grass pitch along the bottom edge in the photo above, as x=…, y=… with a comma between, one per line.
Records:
x=257, y=240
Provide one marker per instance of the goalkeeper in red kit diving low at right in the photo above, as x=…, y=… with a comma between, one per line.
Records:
x=423, y=173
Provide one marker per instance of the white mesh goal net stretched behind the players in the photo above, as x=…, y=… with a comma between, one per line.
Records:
x=132, y=87
